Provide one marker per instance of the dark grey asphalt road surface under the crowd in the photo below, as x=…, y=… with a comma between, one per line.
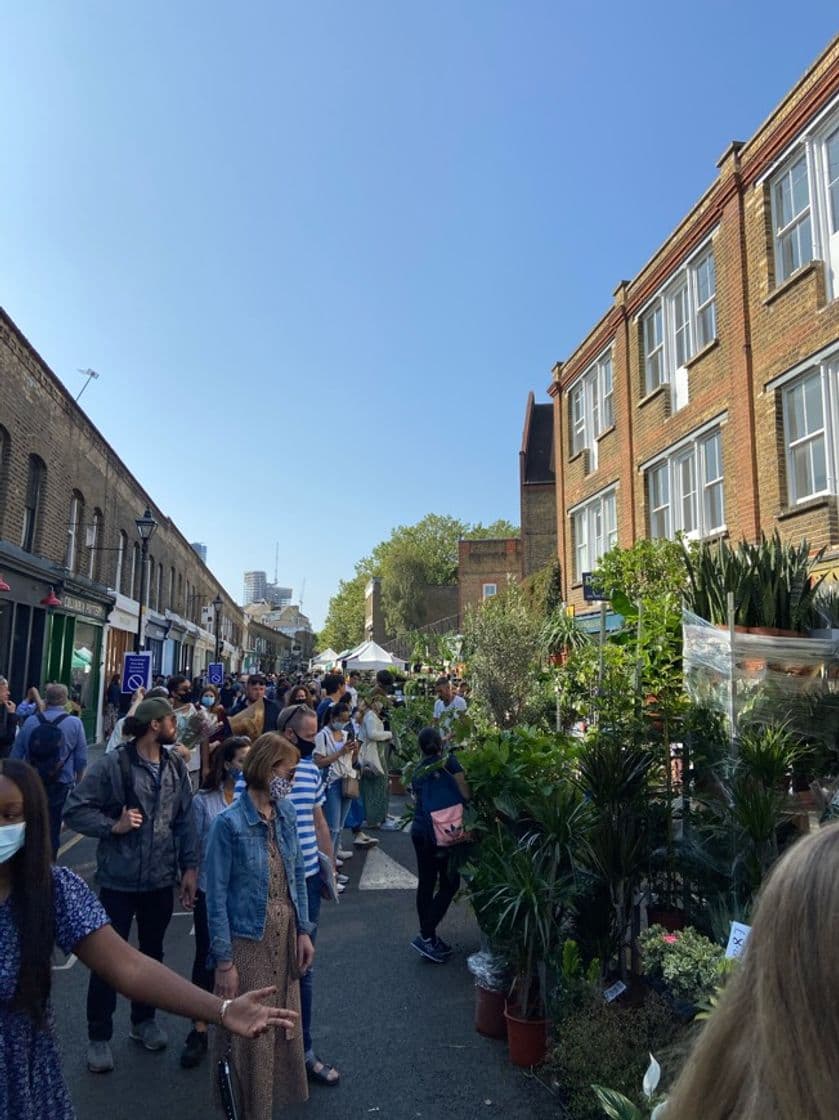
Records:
x=398, y=1028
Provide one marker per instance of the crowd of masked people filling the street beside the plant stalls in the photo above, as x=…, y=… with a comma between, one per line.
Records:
x=238, y=809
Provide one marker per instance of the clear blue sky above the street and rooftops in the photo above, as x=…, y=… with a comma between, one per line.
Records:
x=321, y=253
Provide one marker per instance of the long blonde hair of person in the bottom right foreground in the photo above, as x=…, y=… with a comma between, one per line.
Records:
x=770, y=1050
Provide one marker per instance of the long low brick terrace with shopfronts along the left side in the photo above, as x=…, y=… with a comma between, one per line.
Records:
x=68, y=512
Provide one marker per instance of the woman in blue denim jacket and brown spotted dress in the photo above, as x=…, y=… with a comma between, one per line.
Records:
x=259, y=921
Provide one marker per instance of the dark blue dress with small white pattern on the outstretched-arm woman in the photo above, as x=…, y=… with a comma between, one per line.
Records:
x=32, y=1086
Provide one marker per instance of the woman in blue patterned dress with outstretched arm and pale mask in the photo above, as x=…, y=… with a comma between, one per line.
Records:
x=42, y=907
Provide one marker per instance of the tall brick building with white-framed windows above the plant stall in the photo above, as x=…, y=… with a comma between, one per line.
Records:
x=706, y=400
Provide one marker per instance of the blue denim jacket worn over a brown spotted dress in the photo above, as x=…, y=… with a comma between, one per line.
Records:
x=237, y=869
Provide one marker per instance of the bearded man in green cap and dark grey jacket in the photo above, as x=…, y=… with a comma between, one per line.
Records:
x=137, y=802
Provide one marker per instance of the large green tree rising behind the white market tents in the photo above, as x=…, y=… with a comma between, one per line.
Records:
x=413, y=558
